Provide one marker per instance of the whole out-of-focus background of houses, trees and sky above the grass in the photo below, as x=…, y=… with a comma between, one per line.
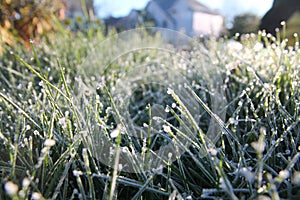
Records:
x=22, y=20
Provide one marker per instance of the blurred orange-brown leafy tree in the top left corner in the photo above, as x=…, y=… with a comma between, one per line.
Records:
x=27, y=19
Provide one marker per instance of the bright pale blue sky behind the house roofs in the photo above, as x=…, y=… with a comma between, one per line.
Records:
x=229, y=8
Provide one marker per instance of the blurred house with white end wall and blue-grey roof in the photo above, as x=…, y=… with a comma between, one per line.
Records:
x=187, y=16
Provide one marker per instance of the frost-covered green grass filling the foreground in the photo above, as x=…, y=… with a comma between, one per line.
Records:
x=58, y=111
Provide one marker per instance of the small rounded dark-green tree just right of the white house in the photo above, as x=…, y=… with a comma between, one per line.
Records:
x=245, y=23
